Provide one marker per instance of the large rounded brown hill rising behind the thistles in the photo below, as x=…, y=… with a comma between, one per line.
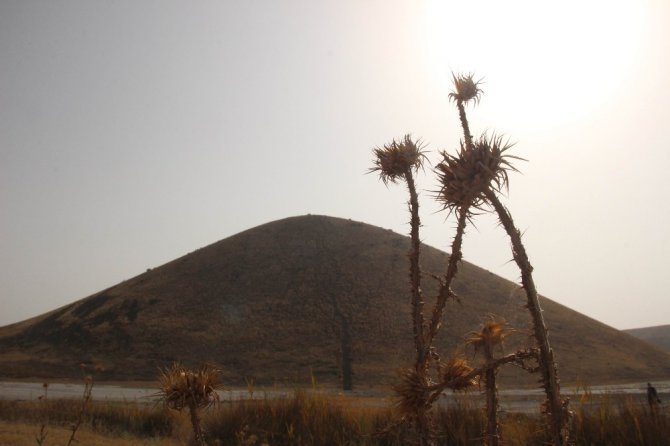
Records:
x=309, y=295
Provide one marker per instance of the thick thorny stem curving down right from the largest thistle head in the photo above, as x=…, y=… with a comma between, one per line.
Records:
x=548, y=369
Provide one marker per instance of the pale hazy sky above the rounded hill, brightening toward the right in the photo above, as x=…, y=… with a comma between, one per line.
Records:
x=134, y=132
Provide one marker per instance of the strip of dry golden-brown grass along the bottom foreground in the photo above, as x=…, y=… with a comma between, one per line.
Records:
x=308, y=418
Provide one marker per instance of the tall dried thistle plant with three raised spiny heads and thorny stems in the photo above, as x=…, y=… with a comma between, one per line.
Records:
x=469, y=182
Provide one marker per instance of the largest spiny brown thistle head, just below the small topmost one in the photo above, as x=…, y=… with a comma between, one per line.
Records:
x=467, y=176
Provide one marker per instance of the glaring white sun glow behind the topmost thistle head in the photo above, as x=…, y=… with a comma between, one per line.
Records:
x=553, y=62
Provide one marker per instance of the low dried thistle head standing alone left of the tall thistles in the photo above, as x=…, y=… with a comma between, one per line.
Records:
x=181, y=387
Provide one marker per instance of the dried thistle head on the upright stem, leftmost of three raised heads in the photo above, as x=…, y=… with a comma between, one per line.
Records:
x=394, y=160
